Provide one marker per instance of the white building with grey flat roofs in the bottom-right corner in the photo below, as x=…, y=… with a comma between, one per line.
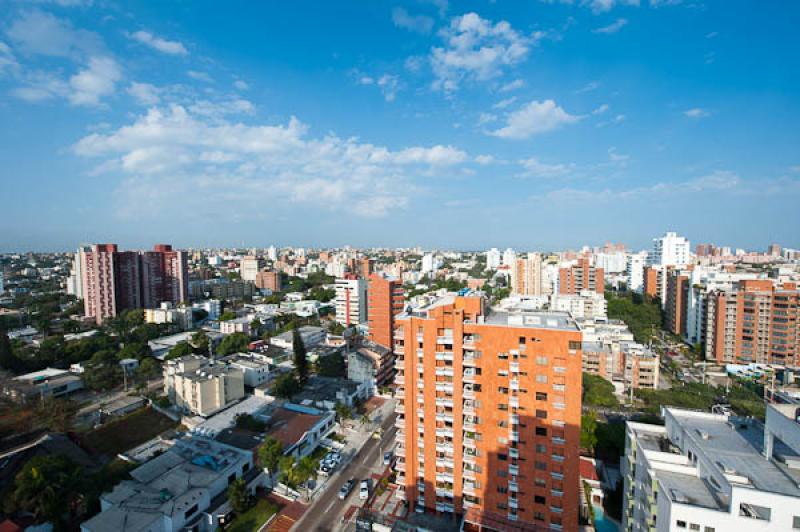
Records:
x=712, y=472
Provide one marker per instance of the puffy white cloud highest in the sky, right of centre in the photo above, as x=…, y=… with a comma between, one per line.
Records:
x=476, y=49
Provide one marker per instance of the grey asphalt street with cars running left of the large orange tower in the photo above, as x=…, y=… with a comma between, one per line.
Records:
x=324, y=513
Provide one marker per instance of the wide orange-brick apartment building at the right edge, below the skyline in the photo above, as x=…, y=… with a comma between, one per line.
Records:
x=756, y=322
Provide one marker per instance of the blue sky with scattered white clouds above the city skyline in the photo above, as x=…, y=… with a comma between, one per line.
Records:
x=542, y=124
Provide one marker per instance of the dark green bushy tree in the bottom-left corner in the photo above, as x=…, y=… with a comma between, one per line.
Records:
x=47, y=487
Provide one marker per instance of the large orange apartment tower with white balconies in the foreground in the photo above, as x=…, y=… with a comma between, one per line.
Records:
x=489, y=419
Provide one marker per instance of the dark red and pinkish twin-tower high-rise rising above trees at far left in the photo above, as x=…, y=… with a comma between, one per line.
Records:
x=113, y=281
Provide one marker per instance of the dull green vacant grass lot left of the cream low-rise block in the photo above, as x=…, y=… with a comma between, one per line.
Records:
x=127, y=432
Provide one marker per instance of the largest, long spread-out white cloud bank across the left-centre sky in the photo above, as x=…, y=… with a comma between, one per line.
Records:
x=173, y=155
